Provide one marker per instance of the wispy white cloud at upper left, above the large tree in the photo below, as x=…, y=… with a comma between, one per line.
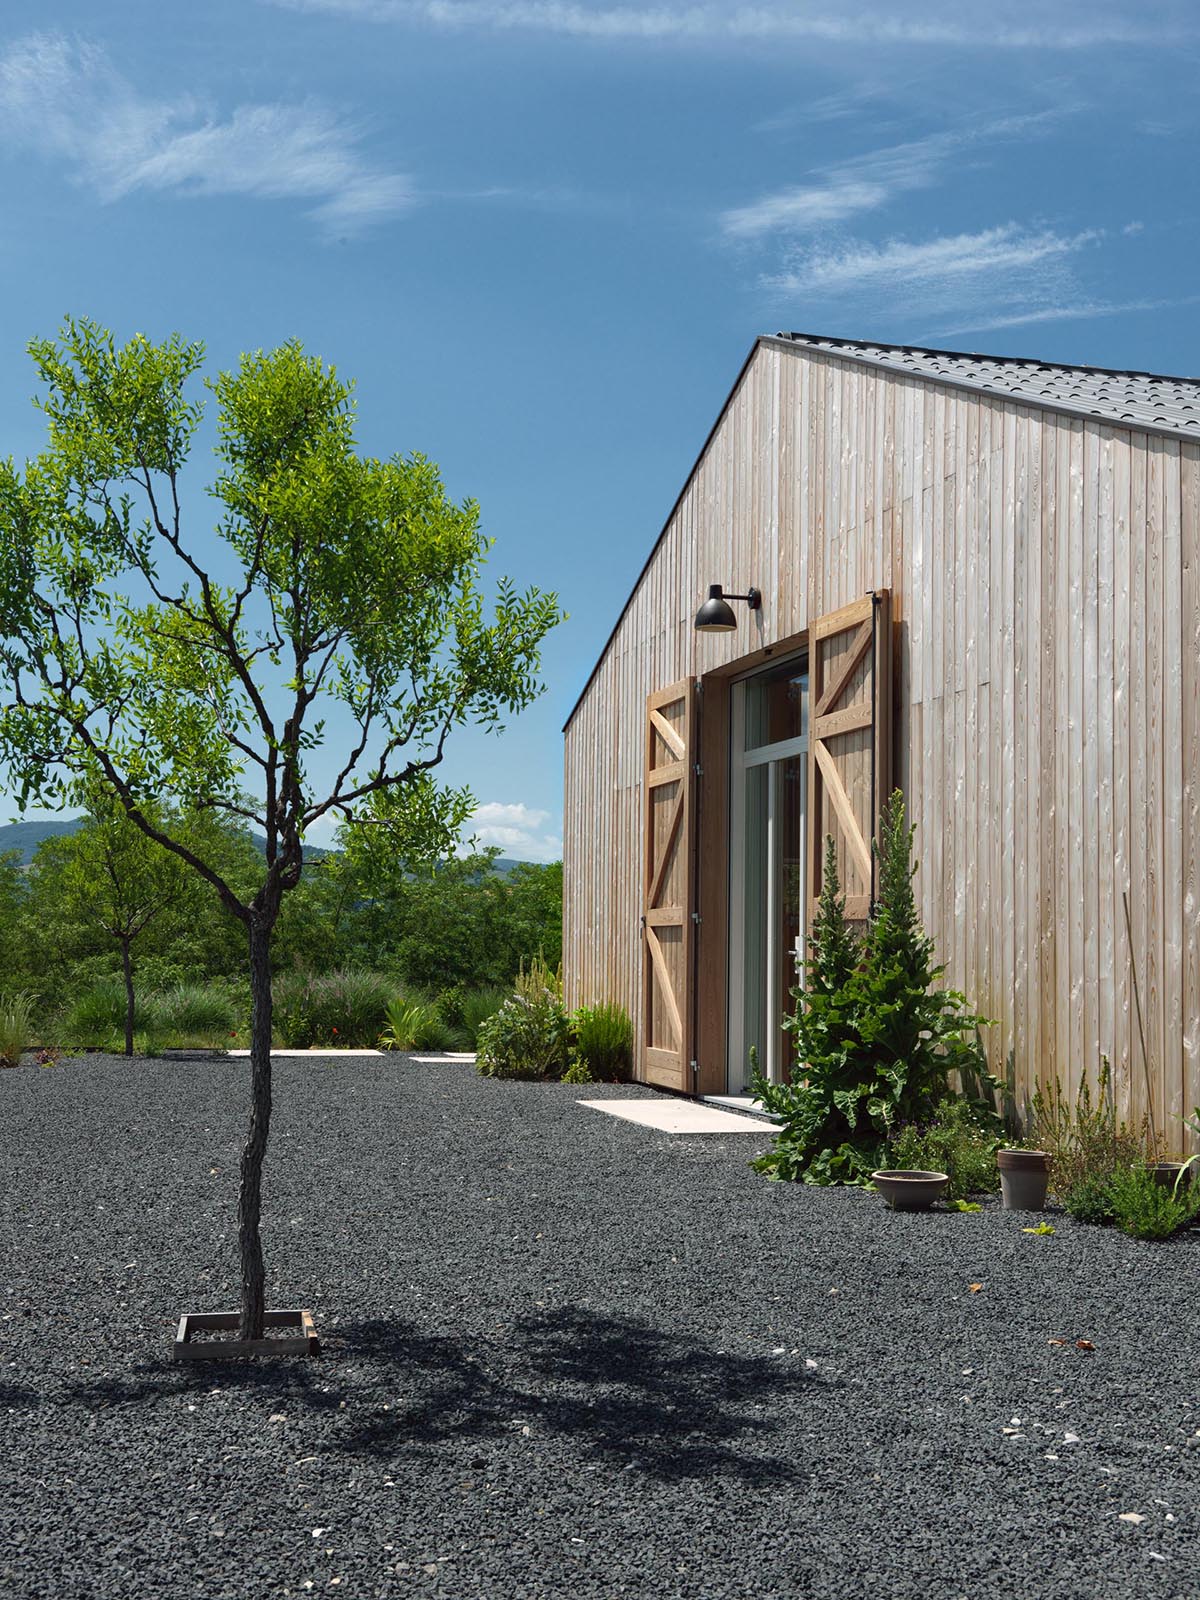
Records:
x=66, y=102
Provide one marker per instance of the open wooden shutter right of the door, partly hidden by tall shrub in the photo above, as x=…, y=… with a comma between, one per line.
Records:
x=849, y=743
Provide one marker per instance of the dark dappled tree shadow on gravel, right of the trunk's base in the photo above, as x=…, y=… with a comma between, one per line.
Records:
x=630, y=1394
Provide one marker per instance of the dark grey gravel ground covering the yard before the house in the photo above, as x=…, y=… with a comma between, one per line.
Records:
x=566, y=1356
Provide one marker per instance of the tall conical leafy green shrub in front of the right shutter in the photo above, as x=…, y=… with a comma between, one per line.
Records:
x=878, y=1041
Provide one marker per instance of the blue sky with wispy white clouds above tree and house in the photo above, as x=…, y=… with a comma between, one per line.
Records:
x=543, y=234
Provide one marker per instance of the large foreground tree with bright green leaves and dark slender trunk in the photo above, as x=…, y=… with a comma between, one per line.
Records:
x=191, y=671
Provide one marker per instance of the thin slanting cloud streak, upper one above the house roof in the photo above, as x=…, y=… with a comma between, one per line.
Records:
x=868, y=183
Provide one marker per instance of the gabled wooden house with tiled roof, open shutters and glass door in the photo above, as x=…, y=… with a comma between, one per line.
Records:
x=978, y=578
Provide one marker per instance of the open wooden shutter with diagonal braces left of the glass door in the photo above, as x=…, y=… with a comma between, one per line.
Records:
x=668, y=889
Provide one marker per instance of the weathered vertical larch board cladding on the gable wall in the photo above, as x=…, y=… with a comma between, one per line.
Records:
x=1046, y=588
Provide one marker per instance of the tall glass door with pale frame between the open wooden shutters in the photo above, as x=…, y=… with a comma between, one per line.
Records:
x=767, y=860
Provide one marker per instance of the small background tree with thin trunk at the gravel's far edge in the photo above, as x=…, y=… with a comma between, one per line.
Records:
x=113, y=876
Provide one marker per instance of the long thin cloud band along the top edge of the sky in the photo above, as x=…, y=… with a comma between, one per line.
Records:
x=1071, y=25
